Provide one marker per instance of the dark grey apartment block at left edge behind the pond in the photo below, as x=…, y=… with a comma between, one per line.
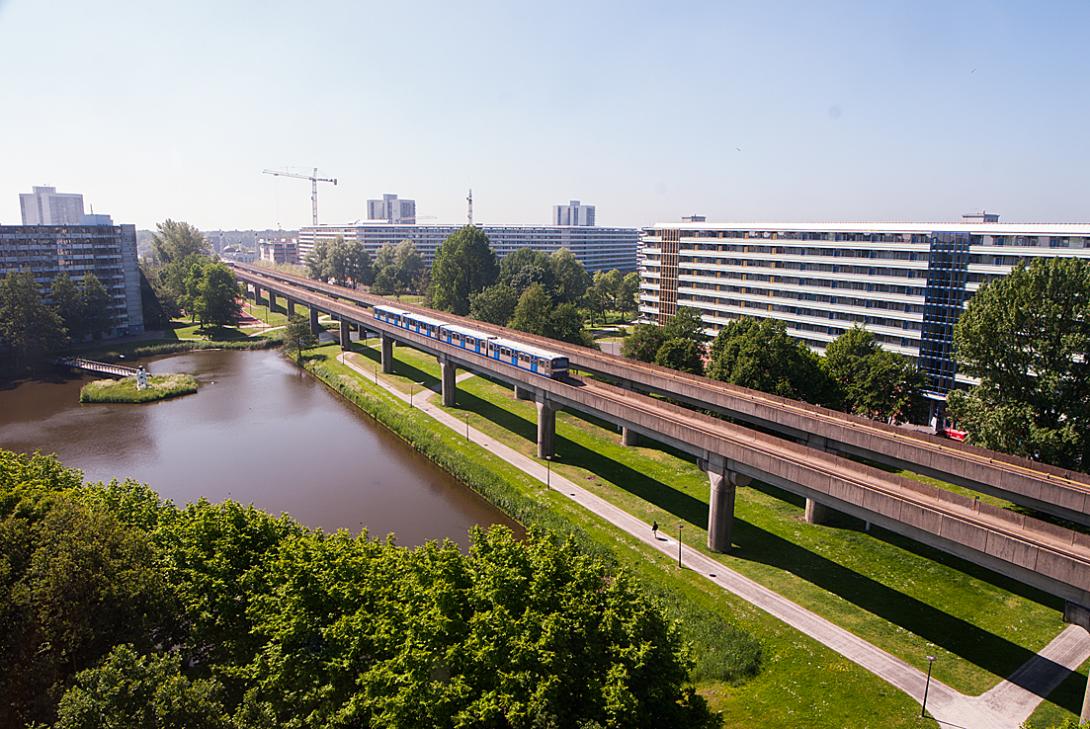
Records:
x=107, y=251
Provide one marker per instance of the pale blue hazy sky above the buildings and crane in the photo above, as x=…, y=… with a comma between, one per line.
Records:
x=917, y=111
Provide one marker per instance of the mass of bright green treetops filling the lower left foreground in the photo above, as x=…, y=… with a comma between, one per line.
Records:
x=115, y=605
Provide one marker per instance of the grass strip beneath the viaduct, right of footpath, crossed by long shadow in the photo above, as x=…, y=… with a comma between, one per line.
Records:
x=904, y=598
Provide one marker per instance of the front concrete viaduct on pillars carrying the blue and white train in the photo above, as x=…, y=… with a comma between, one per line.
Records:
x=1050, y=558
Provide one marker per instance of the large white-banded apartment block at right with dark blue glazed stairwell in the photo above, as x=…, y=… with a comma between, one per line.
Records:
x=905, y=283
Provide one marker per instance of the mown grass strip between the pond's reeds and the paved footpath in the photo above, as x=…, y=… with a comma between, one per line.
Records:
x=801, y=685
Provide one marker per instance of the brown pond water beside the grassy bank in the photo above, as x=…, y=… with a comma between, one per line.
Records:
x=259, y=431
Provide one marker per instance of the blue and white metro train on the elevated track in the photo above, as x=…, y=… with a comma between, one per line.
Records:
x=517, y=355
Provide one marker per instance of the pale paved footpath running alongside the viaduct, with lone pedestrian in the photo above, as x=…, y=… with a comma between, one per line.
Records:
x=1006, y=707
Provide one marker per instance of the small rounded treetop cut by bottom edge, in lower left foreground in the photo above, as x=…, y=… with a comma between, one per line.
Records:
x=150, y=691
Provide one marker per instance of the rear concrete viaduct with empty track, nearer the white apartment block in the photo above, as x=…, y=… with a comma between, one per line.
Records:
x=1049, y=490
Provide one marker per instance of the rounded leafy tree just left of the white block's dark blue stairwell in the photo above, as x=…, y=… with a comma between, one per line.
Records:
x=874, y=382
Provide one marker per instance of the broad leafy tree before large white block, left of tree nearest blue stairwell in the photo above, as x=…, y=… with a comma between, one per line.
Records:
x=761, y=356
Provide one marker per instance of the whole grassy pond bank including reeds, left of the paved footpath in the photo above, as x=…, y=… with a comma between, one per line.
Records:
x=801, y=683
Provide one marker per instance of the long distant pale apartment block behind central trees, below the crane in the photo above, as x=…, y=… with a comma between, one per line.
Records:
x=598, y=249
